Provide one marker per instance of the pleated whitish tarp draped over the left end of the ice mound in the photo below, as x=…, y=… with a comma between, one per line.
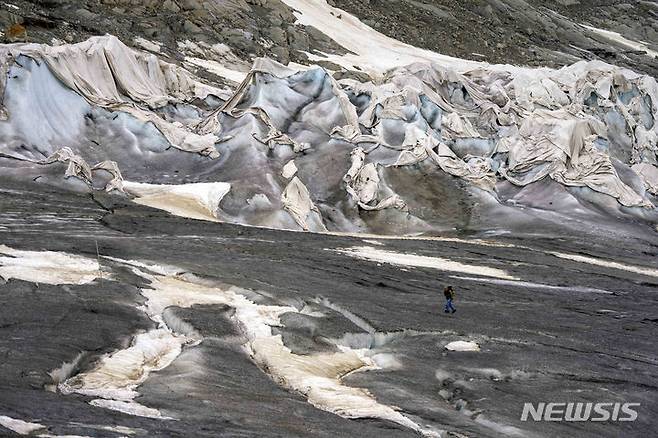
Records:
x=111, y=75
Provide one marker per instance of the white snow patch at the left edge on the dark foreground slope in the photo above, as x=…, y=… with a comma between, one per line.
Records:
x=47, y=266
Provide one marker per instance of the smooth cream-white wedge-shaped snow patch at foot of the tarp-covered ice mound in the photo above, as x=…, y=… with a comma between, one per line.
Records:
x=194, y=200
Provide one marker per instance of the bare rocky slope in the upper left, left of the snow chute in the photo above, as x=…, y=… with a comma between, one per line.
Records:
x=250, y=28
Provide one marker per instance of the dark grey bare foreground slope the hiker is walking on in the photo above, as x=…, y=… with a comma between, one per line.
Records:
x=572, y=330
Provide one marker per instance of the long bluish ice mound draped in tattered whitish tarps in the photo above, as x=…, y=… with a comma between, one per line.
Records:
x=302, y=150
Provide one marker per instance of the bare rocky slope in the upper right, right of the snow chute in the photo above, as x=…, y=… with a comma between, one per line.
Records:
x=537, y=33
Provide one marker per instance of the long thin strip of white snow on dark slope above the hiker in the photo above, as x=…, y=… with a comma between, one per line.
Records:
x=401, y=259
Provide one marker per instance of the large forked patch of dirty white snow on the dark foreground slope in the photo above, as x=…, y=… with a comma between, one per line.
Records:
x=317, y=377
